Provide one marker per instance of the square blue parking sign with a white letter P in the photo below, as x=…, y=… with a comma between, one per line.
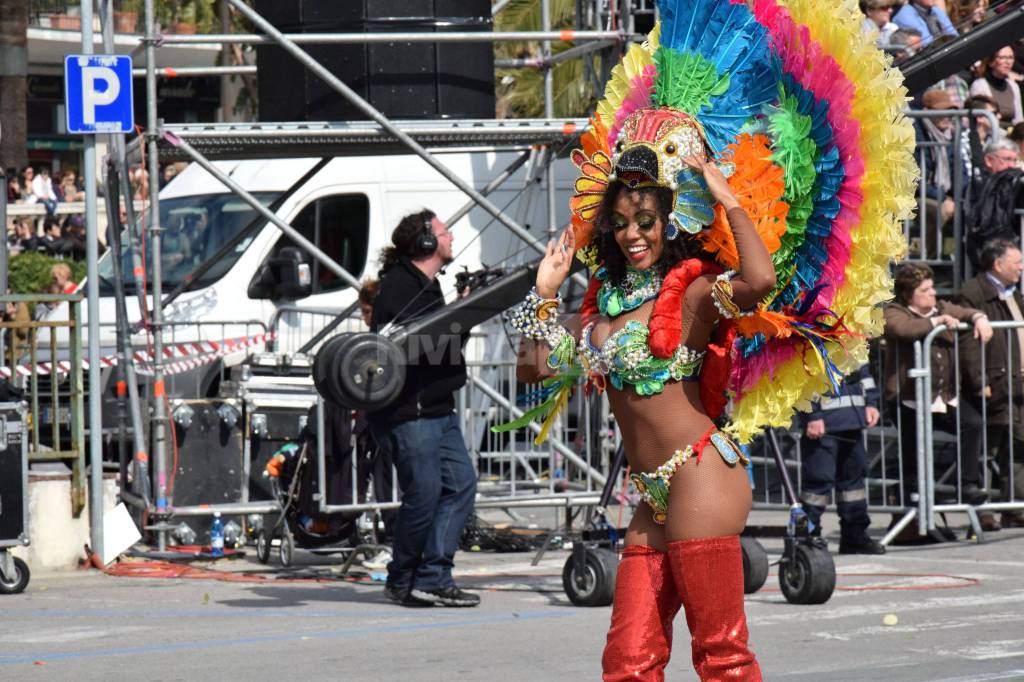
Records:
x=98, y=94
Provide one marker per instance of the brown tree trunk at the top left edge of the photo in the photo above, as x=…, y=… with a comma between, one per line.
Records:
x=14, y=84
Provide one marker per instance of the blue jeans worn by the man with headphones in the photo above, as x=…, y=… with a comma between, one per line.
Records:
x=439, y=487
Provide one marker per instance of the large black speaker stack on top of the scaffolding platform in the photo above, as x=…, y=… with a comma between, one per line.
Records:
x=401, y=80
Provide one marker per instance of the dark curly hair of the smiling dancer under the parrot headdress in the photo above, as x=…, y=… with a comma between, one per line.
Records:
x=611, y=254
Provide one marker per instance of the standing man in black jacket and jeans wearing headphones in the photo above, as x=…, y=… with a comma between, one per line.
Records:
x=436, y=476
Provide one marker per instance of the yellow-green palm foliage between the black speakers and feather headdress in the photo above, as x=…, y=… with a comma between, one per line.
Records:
x=521, y=92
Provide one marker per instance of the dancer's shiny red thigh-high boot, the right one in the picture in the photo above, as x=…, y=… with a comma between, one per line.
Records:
x=709, y=575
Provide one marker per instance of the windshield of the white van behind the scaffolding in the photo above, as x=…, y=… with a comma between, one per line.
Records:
x=195, y=229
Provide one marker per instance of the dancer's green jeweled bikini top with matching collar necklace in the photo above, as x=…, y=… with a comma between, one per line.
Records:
x=625, y=357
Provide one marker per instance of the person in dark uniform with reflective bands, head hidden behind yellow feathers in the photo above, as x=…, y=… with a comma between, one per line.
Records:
x=834, y=457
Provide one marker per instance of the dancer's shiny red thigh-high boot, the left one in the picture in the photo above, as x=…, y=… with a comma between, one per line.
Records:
x=647, y=602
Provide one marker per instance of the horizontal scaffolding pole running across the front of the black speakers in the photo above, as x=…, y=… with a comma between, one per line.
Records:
x=403, y=37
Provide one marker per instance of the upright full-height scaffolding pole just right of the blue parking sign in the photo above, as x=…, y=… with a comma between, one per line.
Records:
x=159, y=417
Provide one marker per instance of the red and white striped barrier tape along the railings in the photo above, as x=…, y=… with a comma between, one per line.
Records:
x=186, y=356
